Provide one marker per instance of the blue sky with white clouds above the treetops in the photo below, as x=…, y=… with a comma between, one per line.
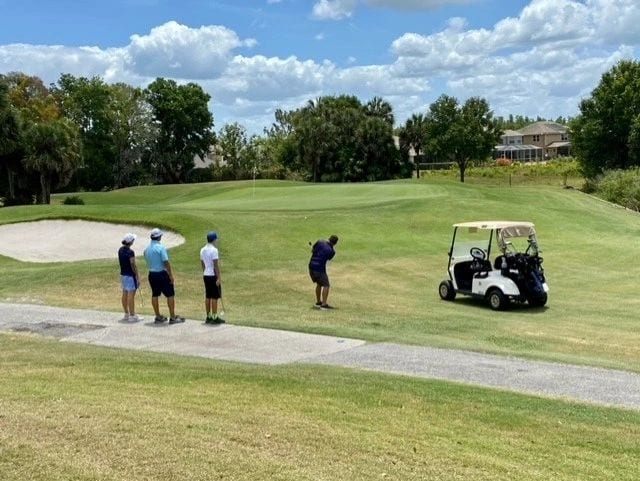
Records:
x=529, y=57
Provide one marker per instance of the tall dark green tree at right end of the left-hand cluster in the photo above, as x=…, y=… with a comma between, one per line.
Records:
x=185, y=127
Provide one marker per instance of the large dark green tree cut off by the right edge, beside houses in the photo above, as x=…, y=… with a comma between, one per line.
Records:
x=606, y=134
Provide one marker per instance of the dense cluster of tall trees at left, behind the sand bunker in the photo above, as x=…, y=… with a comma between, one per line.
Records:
x=84, y=134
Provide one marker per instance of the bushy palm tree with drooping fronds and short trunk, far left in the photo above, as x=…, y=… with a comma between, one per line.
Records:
x=53, y=151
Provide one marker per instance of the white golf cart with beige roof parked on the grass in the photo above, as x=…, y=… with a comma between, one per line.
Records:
x=515, y=273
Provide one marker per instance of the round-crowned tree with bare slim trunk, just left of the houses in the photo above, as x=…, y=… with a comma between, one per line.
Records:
x=462, y=134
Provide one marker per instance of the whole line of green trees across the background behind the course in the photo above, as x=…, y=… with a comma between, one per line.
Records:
x=85, y=134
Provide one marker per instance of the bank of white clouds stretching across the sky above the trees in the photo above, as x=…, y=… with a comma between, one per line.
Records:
x=540, y=62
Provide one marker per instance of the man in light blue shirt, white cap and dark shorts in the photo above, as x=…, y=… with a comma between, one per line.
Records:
x=160, y=278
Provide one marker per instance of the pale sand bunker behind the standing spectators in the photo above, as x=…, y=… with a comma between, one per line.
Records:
x=73, y=240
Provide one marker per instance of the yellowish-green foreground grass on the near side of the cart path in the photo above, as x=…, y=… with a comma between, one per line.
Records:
x=71, y=412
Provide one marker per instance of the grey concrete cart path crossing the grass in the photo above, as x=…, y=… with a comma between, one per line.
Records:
x=270, y=346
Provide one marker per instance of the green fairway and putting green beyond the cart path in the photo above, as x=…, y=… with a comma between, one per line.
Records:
x=390, y=260
